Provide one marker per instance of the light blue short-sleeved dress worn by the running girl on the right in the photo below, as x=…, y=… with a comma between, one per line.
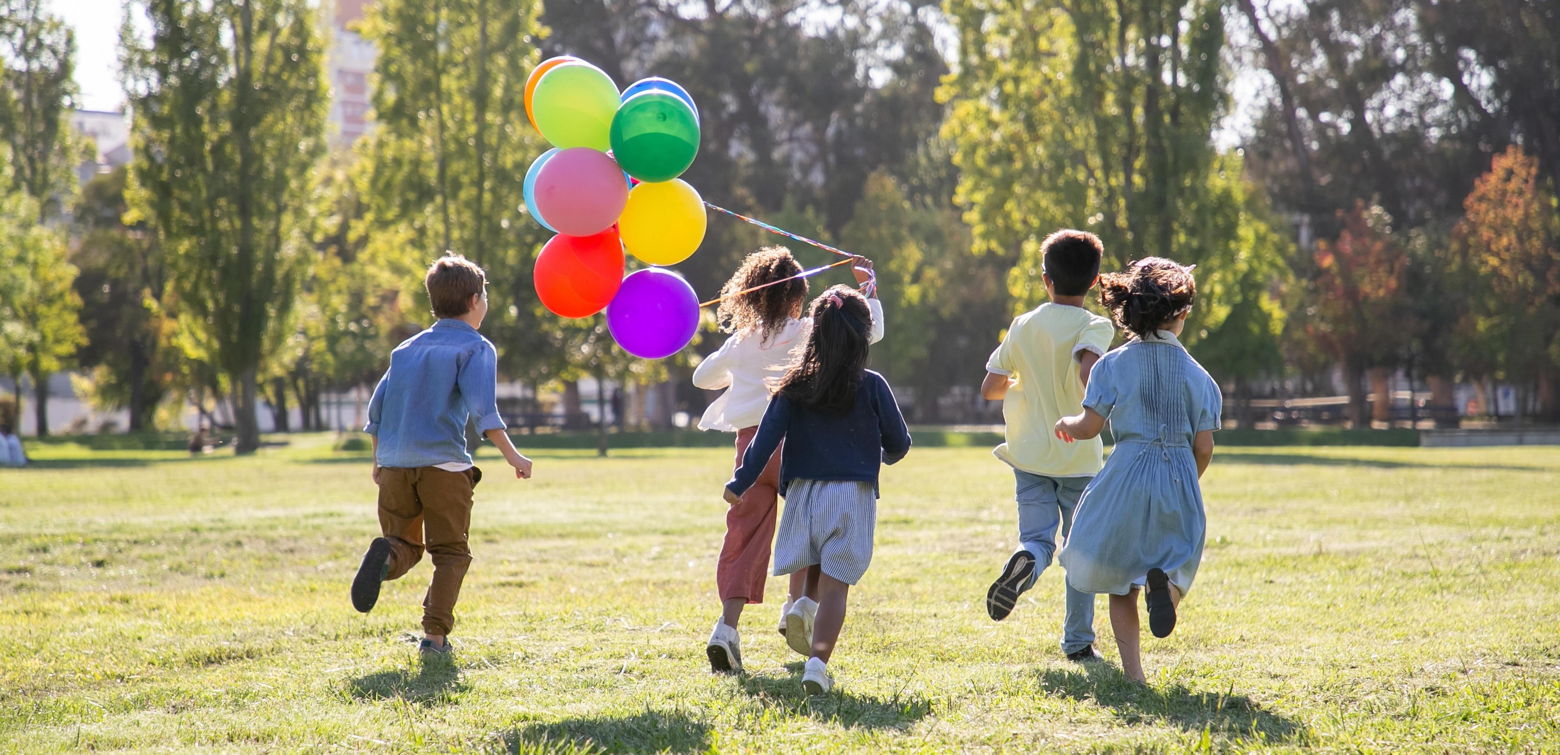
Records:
x=1146, y=508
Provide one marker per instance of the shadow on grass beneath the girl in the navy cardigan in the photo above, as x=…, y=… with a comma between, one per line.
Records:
x=840, y=707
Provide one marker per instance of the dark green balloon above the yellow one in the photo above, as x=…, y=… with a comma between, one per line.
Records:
x=654, y=136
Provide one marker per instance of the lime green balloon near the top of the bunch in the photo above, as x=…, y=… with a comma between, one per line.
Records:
x=575, y=105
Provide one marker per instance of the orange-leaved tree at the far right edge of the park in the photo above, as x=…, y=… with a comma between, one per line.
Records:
x=1511, y=239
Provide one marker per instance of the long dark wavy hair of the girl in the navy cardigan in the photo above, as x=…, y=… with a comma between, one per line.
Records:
x=829, y=370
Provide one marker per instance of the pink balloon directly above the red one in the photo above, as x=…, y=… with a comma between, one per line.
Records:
x=581, y=191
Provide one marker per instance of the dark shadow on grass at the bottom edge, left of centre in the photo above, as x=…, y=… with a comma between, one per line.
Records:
x=647, y=732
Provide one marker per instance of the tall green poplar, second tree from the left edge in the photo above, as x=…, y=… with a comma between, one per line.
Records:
x=230, y=116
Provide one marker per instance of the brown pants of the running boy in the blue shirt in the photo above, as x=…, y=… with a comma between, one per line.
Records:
x=427, y=508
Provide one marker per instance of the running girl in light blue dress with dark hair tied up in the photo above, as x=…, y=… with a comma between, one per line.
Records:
x=1141, y=522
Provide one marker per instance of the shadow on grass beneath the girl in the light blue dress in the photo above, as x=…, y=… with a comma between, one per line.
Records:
x=1177, y=706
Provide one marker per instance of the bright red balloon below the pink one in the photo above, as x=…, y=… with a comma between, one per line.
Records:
x=580, y=275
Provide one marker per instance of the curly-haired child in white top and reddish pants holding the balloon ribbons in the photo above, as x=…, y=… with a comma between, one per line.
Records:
x=767, y=325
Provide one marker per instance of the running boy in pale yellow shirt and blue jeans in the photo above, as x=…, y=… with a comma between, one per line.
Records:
x=1040, y=372
